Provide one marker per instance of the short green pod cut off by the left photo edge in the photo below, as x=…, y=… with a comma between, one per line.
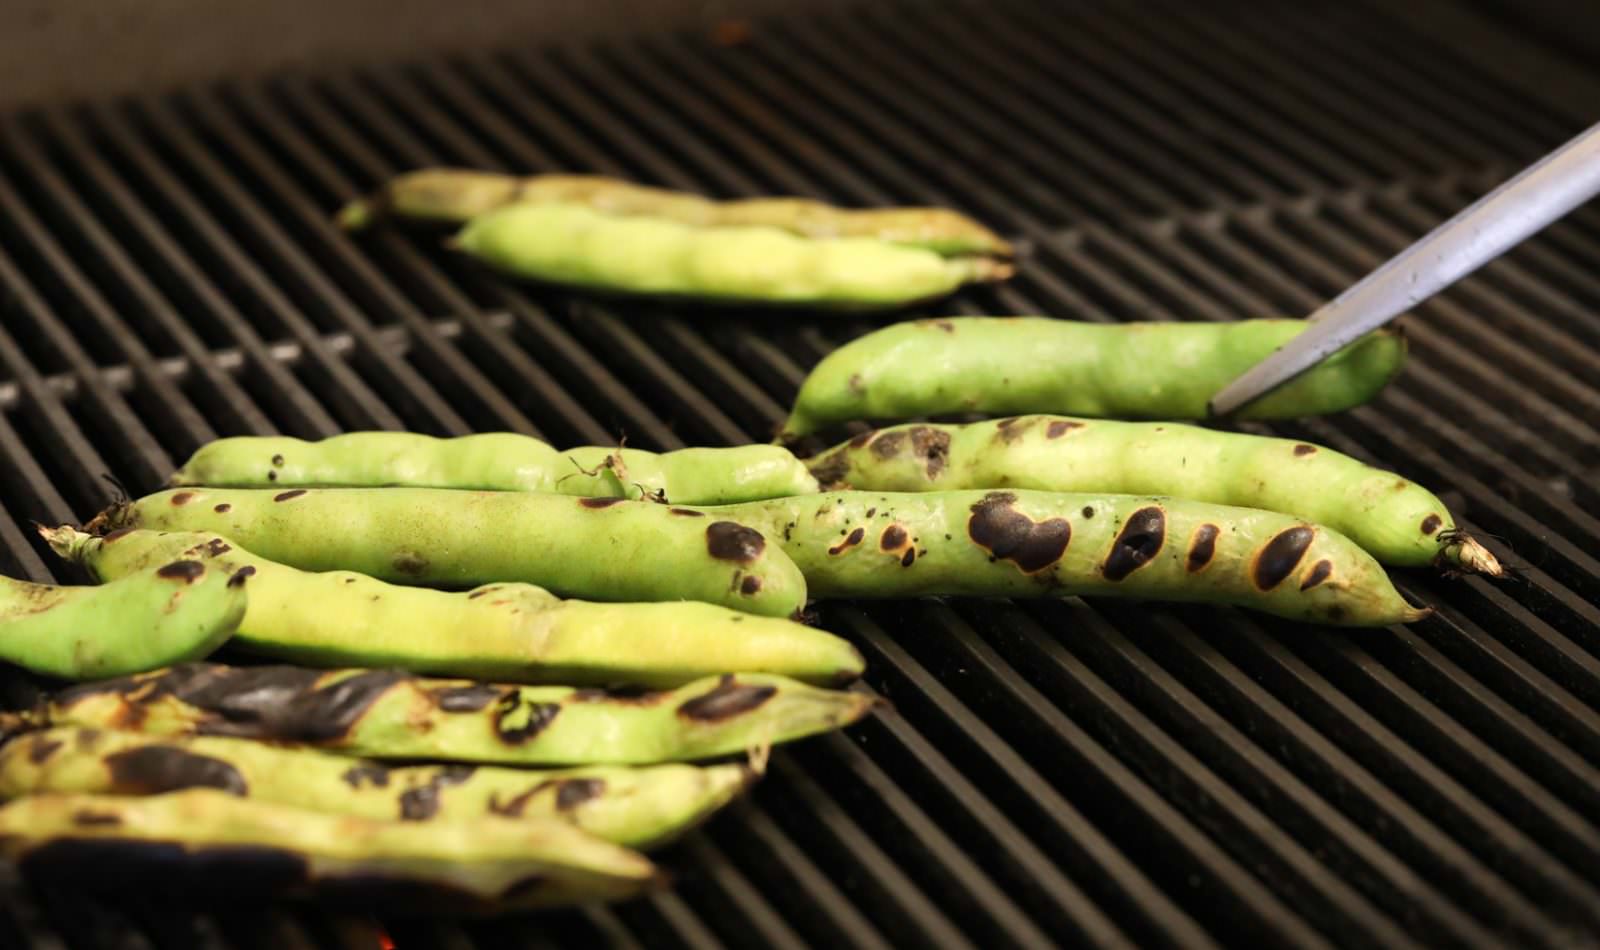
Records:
x=170, y=612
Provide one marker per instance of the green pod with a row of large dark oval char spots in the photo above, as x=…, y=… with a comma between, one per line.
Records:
x=860, y=545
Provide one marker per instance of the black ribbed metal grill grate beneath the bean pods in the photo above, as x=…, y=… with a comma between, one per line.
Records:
x=1103, y=775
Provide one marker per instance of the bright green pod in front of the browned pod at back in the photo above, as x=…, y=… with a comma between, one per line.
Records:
x=660, y=258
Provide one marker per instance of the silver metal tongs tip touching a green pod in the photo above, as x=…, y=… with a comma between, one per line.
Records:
x=1484, y=231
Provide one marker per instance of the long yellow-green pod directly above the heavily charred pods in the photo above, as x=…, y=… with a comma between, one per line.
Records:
x=513, y=633
